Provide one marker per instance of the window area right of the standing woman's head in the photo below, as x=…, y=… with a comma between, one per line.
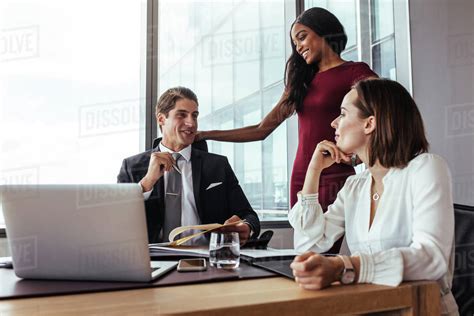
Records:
x=370, y=27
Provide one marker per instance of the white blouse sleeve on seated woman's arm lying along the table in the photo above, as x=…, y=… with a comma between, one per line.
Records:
x=427, y=257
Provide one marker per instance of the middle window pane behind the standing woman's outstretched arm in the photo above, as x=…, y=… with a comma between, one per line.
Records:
x=232, y=54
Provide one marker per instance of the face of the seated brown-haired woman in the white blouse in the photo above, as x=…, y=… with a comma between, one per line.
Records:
x=352, y=131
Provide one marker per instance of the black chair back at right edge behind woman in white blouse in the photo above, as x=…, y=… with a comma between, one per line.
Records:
x=463, y=279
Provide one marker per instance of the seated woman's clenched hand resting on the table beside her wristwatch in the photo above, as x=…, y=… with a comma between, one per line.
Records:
x=314, y=271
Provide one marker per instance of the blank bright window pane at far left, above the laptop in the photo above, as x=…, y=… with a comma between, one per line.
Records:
x=71, y=97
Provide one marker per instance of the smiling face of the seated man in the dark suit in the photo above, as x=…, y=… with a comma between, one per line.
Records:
x=180, y=125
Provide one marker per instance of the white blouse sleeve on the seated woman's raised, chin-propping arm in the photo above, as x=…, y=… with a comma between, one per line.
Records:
x=313, y=229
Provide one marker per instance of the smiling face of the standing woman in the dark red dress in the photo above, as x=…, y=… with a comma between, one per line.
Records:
x=308, y=44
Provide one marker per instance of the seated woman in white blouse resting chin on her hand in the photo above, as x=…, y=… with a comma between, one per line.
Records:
x=397, y=215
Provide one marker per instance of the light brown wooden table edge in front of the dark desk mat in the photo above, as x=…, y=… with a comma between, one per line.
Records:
x=271, y=296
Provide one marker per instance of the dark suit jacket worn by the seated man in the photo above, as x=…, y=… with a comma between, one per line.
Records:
x=214, y=205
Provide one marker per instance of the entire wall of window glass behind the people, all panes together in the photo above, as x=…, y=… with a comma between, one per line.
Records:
x=72, y=81
